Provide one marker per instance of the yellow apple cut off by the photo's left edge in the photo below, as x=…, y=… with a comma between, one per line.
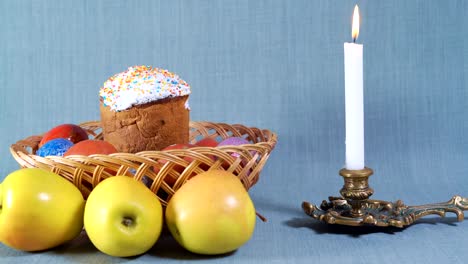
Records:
x=39, y=210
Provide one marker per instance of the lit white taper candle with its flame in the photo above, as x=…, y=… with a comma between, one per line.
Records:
x=354, y=102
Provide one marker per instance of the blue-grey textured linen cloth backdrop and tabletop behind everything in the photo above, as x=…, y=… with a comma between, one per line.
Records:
x=275, y=65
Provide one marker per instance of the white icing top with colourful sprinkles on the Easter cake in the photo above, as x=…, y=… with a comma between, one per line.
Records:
x=139, y=85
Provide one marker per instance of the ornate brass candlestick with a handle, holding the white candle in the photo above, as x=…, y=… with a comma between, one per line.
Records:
x=355, y=209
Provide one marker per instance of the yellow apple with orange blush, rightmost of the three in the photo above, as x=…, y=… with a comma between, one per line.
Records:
x=211, y=213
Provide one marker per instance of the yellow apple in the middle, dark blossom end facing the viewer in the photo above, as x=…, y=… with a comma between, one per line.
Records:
x=122, y=217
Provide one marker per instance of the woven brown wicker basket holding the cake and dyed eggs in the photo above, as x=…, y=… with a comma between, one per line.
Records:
x=164, y=172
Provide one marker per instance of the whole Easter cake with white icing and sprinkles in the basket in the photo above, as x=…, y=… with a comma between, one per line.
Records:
x=144, y=108
